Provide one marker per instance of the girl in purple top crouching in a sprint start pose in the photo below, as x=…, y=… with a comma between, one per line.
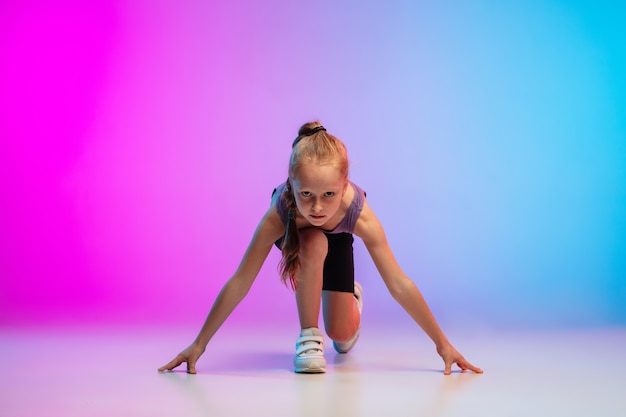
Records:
x=312, y=219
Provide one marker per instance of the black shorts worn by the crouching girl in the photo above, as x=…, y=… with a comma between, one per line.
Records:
x=339, y=262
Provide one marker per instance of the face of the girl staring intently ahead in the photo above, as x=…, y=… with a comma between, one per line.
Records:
x=318, y=190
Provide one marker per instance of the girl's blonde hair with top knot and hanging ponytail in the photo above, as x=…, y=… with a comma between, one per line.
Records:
x=313, y=145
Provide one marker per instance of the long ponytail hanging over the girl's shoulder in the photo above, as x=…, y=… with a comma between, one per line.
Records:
x=290, y=263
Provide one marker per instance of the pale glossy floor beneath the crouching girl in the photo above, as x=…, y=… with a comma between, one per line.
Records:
x=106, y=371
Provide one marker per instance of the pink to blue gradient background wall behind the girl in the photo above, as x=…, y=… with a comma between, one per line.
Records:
x=140, y=142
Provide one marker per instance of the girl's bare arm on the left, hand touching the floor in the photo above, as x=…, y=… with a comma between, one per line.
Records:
x=268, y=231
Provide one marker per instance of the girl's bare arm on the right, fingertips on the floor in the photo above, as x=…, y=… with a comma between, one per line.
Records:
x=403, y=290
